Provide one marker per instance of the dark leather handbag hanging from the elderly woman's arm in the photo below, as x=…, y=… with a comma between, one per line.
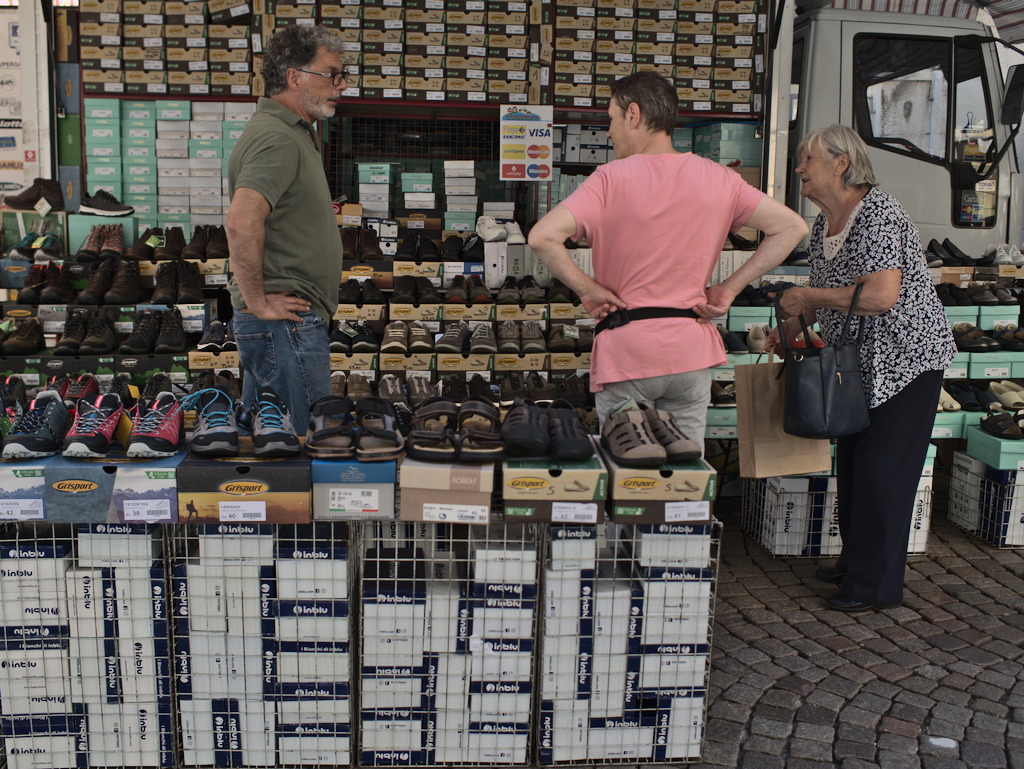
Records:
x=825, y=389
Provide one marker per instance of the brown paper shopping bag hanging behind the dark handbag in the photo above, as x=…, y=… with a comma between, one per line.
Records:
x=765, y=449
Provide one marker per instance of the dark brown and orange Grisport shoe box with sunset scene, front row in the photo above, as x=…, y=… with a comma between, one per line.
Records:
x=244, y=490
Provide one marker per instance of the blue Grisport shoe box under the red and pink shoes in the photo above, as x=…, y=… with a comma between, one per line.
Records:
x=114, y=490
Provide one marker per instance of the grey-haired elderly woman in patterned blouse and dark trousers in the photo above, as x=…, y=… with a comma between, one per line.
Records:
x=864, y=236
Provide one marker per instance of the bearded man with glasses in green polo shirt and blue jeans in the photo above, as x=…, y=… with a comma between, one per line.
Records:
x=284, y=241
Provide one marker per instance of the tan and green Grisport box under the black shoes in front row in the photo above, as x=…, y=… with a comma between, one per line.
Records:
x=554, y=492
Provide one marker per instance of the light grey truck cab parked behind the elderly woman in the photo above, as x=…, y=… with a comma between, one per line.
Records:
x=926, y=95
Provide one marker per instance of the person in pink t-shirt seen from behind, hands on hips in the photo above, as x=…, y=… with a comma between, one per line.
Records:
x=657, y=221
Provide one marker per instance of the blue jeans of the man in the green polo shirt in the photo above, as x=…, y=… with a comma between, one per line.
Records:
x=294, y=359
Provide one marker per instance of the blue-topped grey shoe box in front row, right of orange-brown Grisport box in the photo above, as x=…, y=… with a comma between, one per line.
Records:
x=347, y=490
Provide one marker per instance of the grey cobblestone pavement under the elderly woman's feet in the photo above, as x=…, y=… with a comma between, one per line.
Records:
x=937, y=683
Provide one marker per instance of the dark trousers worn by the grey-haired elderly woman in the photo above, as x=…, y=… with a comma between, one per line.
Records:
x=878, y=473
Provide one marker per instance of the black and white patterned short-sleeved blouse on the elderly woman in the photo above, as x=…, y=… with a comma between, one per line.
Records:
x=914, y=336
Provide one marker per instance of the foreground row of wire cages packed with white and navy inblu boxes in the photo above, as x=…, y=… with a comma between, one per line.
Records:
x=372, y=644
